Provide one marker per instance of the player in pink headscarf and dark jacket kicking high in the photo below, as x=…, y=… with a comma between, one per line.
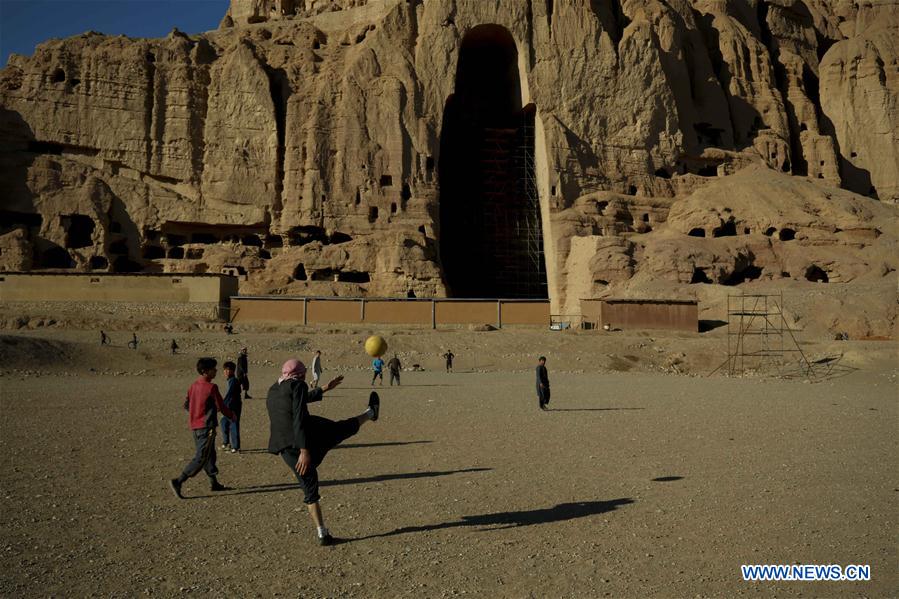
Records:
x=301, y=439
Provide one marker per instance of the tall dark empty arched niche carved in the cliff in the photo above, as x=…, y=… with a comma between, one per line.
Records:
x=491, y=238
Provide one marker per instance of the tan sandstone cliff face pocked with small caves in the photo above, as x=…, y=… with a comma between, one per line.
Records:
x=301, y=143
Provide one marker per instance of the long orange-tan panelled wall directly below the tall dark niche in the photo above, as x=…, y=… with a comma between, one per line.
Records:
x=426, y=312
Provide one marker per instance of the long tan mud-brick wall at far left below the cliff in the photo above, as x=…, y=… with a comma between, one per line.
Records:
x=186, y=288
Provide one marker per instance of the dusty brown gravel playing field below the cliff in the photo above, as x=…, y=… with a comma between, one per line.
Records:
x=637, y=483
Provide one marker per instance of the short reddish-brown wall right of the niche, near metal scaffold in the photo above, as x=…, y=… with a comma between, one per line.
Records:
x=678, y=315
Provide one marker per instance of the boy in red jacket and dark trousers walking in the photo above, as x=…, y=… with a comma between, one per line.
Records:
x=203, y=404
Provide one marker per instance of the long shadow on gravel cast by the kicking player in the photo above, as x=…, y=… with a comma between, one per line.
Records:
x=501, y=520
